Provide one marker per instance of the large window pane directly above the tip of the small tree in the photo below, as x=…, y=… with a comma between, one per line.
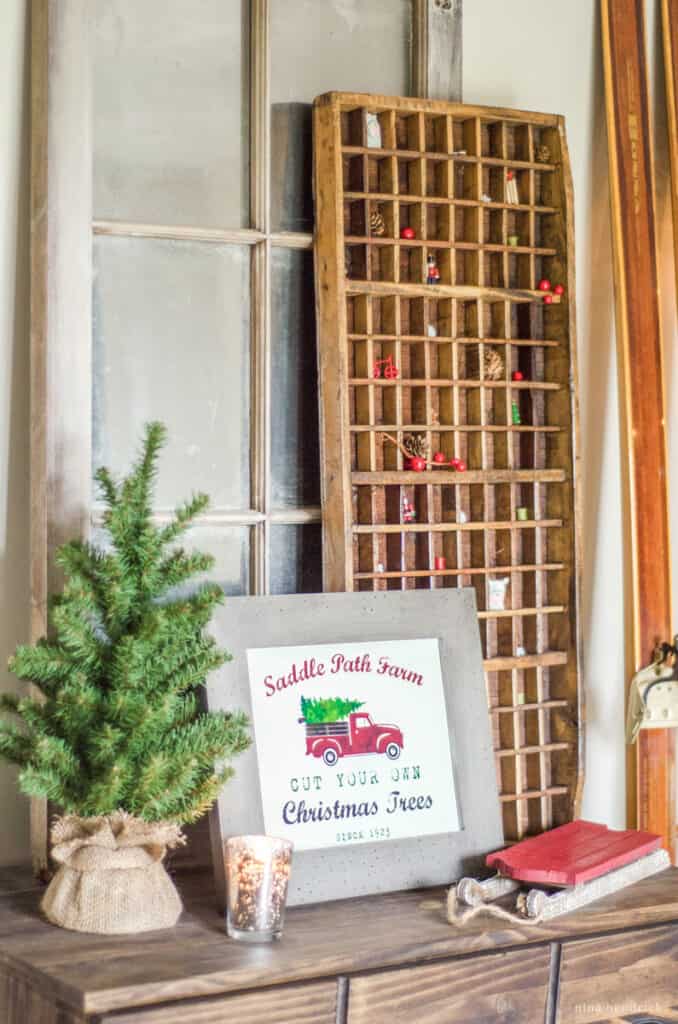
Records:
x=172, y=343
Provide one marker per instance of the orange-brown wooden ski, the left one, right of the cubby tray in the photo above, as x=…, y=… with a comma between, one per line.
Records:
x=650, y=777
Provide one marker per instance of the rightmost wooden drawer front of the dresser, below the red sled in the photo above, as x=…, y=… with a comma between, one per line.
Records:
x=633, y=975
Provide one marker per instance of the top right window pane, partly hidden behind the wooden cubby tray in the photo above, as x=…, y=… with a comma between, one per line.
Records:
x=350, y=46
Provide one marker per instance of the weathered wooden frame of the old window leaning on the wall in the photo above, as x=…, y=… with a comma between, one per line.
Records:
x=62, y=230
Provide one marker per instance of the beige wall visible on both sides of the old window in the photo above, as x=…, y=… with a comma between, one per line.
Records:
x=540, y=57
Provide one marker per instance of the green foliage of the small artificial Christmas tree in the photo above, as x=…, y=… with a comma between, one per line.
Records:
x=119, y=728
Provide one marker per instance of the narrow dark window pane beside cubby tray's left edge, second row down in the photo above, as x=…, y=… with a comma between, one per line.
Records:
x=295, y=460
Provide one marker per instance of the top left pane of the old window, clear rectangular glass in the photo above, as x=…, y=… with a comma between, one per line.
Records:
x=172, y=112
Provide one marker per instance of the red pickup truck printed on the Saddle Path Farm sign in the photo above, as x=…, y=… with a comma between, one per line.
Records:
x=355, y=735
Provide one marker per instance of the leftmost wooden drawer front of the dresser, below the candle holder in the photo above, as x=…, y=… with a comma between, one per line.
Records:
x=298, y=1005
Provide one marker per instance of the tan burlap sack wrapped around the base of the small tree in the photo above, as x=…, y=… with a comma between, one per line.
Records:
x=111, y=879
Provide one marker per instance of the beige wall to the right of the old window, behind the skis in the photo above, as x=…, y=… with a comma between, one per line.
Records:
x=547, y=57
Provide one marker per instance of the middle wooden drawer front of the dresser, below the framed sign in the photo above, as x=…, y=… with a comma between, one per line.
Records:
x=493, y=990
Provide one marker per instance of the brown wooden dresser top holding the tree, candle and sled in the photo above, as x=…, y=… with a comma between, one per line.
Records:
x=96, y=974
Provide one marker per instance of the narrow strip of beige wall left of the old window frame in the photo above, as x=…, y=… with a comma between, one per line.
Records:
x=14, y=386
